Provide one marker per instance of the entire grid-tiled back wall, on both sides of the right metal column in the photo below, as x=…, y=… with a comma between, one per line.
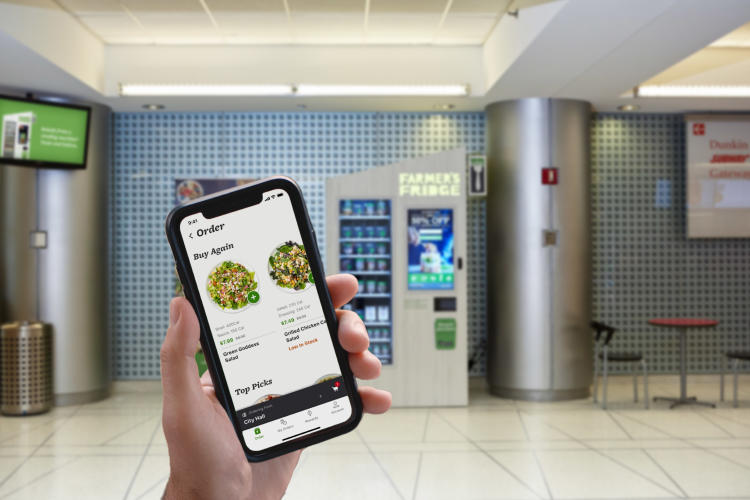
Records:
x=643, y=264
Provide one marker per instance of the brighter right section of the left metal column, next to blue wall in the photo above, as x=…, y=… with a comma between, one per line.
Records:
x=73, y=269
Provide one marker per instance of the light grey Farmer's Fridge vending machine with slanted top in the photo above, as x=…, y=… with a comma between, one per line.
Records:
x=401, y=230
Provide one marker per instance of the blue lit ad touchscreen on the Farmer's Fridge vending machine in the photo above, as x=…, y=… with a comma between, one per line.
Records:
x=430, y=237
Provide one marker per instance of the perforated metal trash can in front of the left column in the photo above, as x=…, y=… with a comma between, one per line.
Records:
x=25, y=368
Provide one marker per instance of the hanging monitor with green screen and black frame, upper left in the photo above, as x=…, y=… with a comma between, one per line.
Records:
x=42, y=134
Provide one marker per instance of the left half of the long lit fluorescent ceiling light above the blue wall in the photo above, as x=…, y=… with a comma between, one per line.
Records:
x=156, y=89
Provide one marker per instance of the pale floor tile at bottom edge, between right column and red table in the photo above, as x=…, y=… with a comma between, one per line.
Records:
x=587, y=474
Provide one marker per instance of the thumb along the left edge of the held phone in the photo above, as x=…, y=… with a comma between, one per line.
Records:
x=179, y=371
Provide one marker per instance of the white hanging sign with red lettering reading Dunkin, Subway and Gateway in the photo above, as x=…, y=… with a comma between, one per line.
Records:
x=718, y=176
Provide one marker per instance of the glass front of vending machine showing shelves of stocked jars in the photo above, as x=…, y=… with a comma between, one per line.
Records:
x=365, y=252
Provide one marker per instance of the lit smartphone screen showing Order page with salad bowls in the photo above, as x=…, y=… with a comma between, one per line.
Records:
x=266, y=321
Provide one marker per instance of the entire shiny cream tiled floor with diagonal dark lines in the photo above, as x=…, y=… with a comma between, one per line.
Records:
x=492, y=449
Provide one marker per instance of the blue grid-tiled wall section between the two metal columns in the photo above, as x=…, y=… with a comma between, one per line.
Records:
x=152, y=149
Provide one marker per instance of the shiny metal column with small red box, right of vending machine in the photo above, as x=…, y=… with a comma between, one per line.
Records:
x=539, y=249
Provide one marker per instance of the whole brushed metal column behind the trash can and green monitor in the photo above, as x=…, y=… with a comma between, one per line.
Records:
x=64, y=281
